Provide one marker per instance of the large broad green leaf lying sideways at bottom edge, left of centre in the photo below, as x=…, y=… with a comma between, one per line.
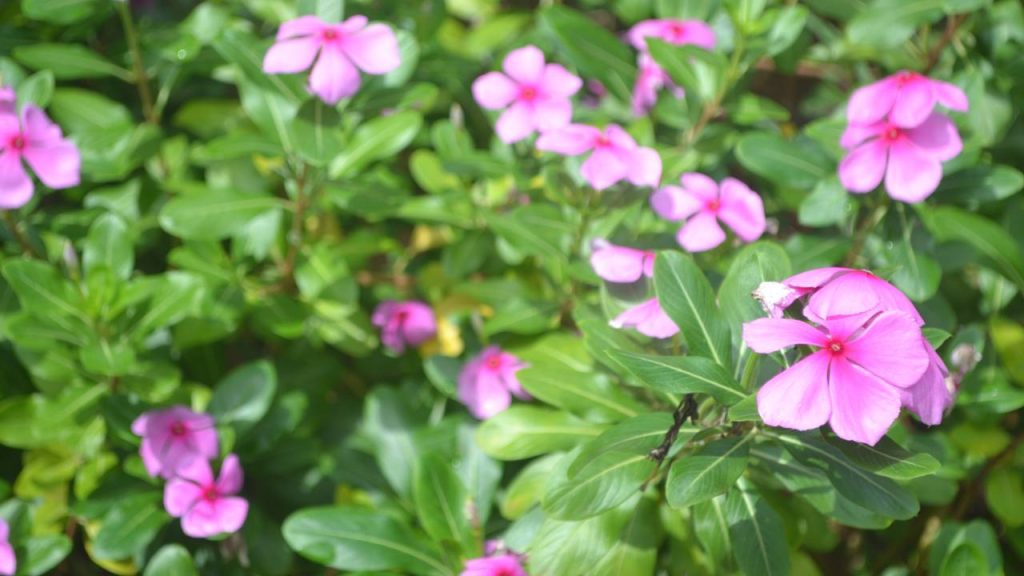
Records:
x=360, y=541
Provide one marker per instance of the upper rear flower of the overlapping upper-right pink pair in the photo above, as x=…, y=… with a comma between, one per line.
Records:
x=908, y=99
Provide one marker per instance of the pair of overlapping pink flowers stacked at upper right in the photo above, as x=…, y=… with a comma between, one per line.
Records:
x=894, y=134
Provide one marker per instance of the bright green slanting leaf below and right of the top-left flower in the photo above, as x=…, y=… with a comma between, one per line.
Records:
x=380, y=139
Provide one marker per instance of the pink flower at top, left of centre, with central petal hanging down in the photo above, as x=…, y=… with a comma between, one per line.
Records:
x=345, y=50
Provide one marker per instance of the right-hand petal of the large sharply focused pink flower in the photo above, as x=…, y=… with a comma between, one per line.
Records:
x=891, y=348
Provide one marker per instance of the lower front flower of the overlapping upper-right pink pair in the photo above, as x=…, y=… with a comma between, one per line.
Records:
x=910, y=159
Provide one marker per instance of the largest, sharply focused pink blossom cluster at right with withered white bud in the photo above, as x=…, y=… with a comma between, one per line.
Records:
x=870, y=360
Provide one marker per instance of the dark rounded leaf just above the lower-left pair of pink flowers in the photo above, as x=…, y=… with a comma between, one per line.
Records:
x=244, y=397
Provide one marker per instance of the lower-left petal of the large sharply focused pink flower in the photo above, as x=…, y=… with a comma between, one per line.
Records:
x=798, y=398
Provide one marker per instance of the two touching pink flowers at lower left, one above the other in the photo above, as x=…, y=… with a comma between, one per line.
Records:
x=178, y=445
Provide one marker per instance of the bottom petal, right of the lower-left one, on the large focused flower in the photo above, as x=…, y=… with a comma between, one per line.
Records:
x=864, y=407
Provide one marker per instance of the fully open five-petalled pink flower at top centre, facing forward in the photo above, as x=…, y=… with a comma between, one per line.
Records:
x=536, y=96
